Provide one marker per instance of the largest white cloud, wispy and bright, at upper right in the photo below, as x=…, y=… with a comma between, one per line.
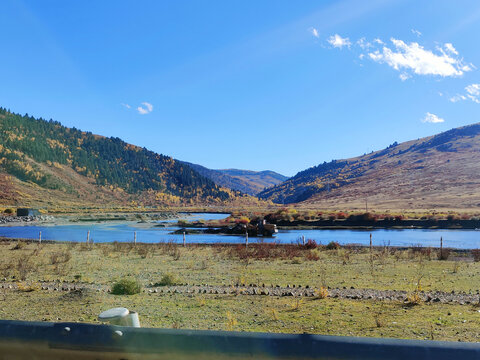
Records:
x=413, y=57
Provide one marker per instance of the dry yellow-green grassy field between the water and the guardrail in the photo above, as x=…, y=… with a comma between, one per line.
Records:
x=384, y=268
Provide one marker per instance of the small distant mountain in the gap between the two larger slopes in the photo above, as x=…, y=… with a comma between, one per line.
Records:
x=246, y=181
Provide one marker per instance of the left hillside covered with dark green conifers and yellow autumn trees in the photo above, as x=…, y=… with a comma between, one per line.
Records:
x=45, y=162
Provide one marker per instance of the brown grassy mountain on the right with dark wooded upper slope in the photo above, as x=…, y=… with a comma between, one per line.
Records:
x=436, y=172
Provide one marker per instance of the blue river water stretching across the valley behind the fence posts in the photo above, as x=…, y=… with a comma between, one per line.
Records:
x=124, y=231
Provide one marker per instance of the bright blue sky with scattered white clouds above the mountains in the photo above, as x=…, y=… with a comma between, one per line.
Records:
x=279, y=85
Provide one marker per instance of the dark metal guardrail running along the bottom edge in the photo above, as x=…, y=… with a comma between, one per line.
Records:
x=25, y=340
